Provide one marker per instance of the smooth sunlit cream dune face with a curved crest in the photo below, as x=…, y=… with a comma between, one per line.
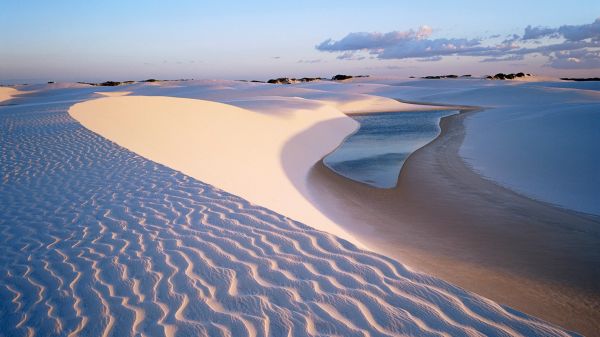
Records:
x=238, y=150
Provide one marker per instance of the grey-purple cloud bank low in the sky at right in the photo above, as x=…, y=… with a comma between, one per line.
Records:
x=565, y=47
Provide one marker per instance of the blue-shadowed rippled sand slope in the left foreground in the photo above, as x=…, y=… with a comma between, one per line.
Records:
x=97, y=241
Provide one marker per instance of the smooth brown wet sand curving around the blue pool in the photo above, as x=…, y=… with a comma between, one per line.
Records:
x=448, y=221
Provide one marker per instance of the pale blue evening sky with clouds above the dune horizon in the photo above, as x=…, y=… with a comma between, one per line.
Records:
x=91, y=40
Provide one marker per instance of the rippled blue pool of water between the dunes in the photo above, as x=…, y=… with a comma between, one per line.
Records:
x=375, y=154
